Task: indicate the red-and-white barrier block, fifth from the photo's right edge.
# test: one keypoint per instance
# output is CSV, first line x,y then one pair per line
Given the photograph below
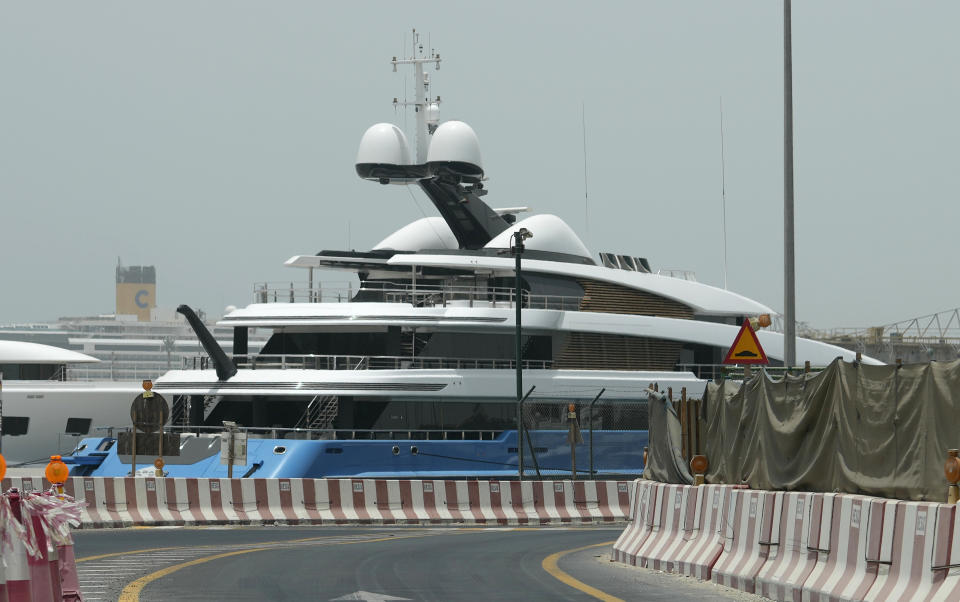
x,y
747,539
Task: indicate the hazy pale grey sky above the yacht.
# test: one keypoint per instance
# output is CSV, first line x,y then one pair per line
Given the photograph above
x,y
216,139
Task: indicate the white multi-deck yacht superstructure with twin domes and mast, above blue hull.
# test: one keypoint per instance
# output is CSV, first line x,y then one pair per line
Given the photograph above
x,y
428,340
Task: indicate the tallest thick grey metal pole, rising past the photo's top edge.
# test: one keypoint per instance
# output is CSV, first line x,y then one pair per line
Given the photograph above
x,y
789,293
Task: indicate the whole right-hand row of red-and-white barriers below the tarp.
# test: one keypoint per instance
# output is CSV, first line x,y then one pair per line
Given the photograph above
x,y
797,546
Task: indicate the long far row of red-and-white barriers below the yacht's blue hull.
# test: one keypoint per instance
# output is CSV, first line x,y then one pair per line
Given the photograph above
x,y
116,502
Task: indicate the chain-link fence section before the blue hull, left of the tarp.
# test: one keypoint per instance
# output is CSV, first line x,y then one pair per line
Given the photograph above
x,y
586,438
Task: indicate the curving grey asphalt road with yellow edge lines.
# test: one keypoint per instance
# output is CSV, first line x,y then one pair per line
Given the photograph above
x,y
348,563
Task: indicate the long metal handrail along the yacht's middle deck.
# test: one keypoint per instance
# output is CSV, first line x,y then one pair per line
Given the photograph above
x,y
363,362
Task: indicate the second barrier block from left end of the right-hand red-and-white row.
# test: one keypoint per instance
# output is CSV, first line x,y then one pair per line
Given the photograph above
x,y
669,526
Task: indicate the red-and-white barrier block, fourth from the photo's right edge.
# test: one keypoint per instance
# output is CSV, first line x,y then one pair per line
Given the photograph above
x,y
798,522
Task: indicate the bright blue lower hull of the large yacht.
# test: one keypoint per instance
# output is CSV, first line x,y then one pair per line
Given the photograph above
x,y
614,453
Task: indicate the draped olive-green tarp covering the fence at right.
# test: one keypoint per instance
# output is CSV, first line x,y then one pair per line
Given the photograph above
x,y
852,428
